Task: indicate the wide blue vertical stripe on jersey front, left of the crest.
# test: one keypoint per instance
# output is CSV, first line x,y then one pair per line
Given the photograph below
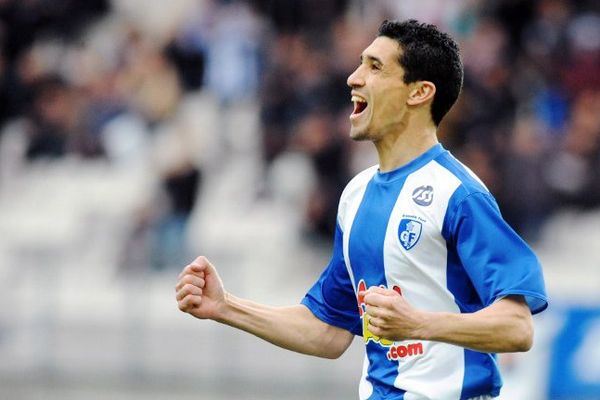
x,y
365,251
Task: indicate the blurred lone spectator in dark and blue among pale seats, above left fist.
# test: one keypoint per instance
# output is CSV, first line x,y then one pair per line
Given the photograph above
x,y
158,236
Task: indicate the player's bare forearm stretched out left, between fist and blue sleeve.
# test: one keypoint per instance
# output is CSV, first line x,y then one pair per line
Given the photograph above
x,y
294,328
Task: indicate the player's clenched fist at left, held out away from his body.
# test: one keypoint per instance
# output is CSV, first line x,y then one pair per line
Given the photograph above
x,y
200,290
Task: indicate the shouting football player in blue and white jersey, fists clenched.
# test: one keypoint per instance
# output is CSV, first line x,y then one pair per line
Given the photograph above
x,y
424,268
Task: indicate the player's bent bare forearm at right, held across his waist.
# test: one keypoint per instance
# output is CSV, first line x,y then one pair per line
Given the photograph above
x,y
503,327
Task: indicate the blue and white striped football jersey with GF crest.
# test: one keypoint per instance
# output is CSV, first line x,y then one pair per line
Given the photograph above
x,y
432,230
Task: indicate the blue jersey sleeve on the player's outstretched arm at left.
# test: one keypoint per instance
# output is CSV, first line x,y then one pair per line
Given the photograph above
x,y
332,298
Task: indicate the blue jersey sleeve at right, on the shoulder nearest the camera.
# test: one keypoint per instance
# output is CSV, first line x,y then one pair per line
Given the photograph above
x,y
496,259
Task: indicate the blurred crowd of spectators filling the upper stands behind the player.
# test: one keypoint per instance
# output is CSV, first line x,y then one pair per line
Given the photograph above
x,y
91,80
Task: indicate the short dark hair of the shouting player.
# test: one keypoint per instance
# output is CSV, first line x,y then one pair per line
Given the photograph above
x,y
428,55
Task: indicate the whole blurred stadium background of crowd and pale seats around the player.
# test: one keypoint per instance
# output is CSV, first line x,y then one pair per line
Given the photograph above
x,y
137,134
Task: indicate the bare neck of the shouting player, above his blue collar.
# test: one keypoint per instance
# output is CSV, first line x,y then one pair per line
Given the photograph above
x,y
400,148
